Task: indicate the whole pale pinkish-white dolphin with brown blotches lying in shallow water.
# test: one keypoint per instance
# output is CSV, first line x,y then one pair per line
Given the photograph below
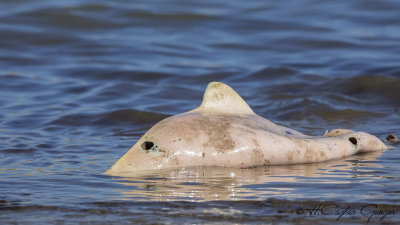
x,y
224,131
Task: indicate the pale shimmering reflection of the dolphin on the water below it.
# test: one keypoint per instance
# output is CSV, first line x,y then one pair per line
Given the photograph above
x,y
259,183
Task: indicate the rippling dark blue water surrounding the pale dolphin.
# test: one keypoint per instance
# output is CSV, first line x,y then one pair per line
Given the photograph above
x,y
81,81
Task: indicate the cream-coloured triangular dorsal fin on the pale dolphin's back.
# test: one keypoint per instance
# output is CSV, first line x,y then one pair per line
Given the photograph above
x,y
222,98
